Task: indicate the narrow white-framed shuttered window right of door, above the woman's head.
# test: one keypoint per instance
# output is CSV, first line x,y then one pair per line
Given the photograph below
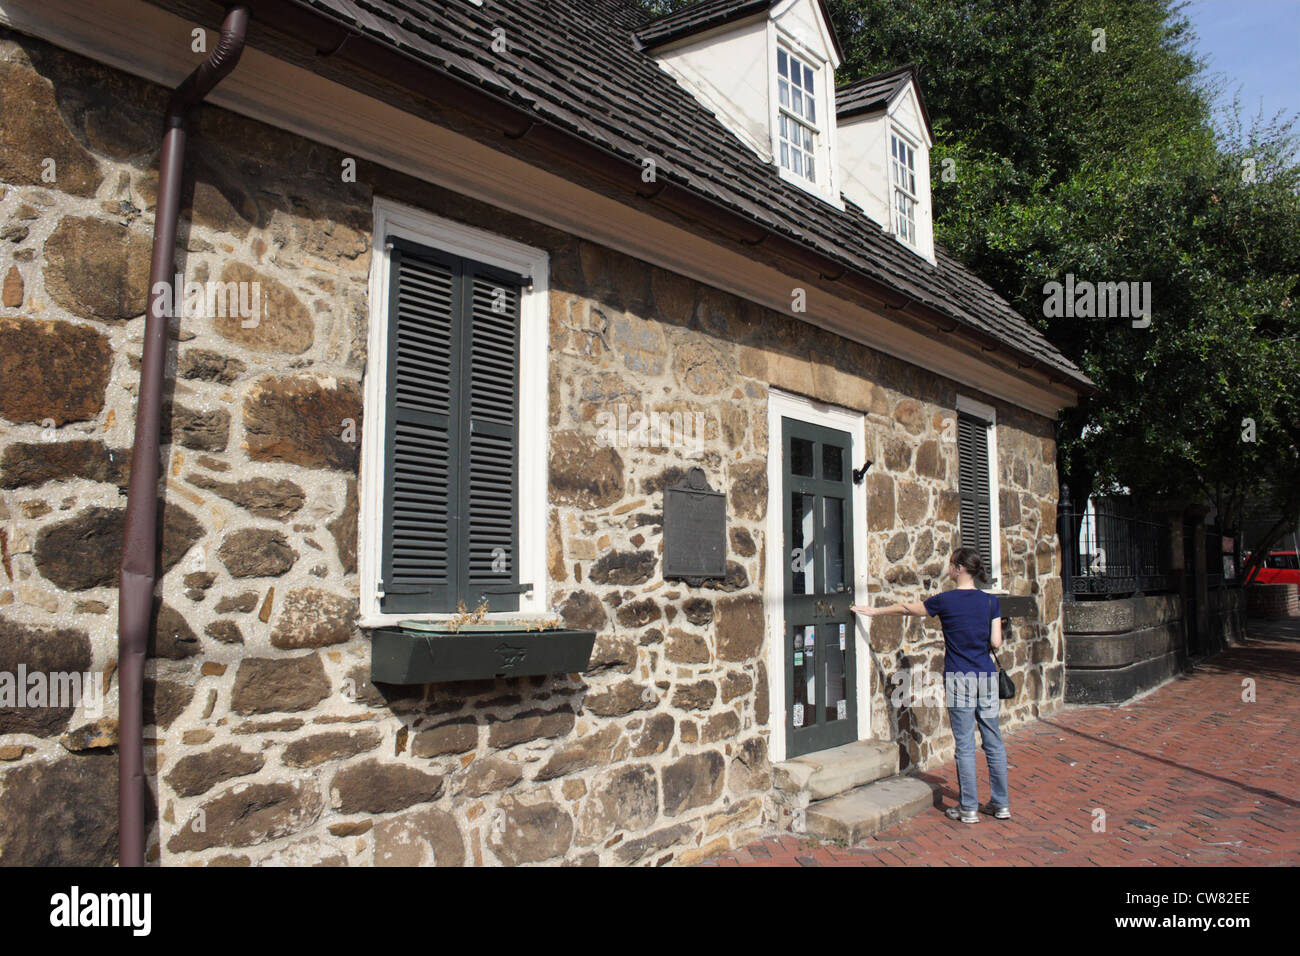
x,y
980,522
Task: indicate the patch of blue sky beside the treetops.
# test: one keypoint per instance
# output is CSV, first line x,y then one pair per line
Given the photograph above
x,y
1255,47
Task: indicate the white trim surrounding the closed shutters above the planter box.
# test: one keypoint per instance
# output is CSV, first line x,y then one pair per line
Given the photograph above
x,y
418,226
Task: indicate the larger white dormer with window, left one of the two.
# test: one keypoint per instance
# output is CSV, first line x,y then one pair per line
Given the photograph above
x,y
735,70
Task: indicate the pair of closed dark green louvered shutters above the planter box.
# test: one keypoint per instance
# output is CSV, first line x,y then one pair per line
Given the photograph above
x,y
452,508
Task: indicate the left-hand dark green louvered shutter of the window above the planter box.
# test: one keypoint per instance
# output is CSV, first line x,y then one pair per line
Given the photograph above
x,y
422,482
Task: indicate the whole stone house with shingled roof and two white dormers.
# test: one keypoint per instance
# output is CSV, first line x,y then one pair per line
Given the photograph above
x,y
679,222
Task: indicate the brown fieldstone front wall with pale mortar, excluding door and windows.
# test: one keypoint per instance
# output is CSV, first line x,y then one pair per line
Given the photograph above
x,y
262,721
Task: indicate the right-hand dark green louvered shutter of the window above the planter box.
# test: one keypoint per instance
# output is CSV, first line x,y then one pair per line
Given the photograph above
x,y
491,436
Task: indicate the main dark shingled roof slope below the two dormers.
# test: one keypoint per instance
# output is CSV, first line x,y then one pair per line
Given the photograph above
x,y
577,64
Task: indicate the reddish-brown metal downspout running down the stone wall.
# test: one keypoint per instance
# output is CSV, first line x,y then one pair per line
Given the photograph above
x,y
141,531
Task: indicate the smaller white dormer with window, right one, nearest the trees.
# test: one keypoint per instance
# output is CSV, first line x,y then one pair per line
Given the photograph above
x,y
873,178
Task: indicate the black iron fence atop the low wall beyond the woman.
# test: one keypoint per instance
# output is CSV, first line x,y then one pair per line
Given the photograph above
x,y
1112,548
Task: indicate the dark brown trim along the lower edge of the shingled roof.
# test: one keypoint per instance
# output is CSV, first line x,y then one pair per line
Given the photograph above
x,y
335,38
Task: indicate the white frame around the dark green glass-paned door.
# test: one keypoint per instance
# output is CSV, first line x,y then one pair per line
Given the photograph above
x,y
788,405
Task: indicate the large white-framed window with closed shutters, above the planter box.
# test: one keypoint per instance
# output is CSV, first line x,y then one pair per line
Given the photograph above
x,y
453,421
